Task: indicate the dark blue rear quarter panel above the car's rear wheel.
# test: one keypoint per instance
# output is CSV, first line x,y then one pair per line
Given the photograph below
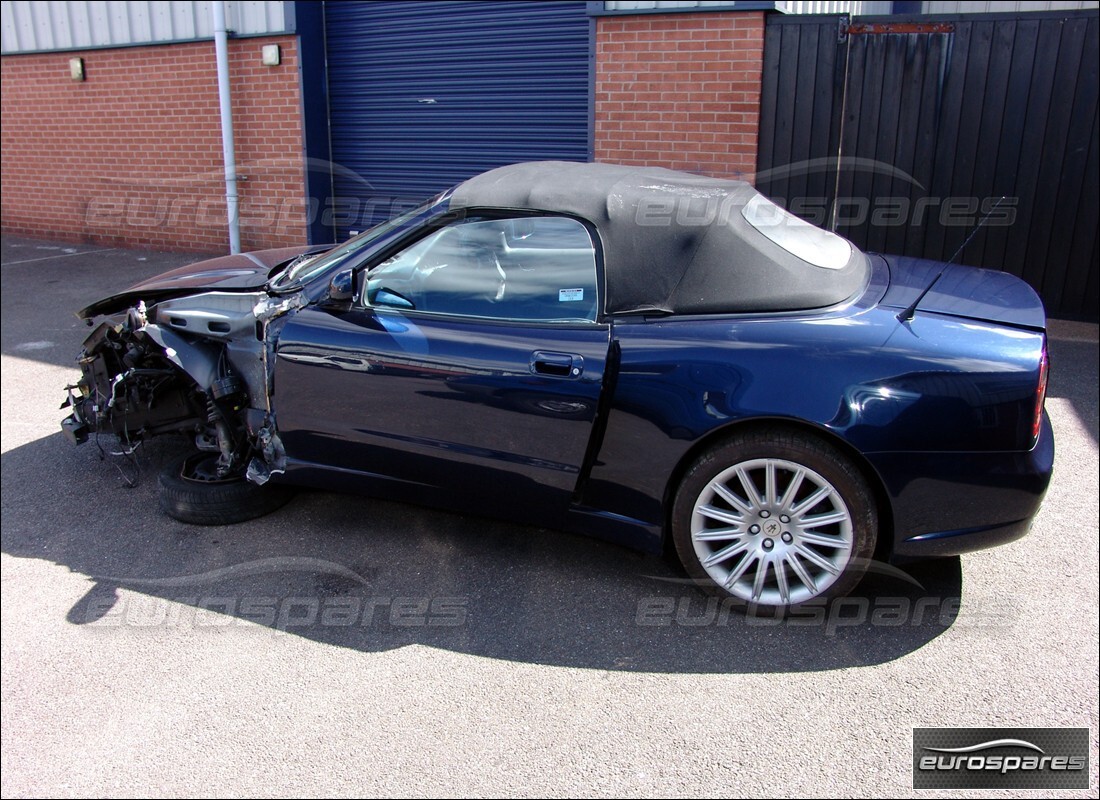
x,y
938,385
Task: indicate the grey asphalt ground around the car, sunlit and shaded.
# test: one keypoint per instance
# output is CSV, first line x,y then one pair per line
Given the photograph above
x,y
346,646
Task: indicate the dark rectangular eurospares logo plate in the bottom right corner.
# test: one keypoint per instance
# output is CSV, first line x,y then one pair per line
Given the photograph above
x,y
1000,759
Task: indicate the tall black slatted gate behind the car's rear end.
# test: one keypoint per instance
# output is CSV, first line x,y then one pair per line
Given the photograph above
x,y
901,133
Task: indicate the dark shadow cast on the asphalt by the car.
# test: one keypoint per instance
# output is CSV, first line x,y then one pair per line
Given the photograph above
x,y
375,576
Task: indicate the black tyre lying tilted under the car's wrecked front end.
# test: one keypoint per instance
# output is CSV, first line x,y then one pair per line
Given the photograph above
x,y
190,499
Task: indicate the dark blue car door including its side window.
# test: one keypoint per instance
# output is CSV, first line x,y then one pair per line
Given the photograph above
x,y
469,369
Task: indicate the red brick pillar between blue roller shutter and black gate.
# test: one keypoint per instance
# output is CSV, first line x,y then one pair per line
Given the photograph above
x,y
680,91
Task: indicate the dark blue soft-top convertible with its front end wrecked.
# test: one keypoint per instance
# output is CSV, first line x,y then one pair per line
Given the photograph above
x,y
662,359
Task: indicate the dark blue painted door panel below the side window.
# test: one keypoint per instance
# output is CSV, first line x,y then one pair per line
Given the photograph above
x,y
442,402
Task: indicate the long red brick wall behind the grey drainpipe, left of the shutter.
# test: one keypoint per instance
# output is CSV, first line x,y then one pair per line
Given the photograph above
x,y
133,156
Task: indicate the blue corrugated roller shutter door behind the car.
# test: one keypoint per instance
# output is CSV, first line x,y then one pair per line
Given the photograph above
x,y
424,95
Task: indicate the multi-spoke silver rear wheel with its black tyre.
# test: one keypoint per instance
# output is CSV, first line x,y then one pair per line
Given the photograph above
x,y
775,519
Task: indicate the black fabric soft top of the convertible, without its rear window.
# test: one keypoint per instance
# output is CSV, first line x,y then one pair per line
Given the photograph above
x,y
674,243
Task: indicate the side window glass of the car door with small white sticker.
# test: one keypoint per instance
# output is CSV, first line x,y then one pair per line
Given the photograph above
x,y
522,269
